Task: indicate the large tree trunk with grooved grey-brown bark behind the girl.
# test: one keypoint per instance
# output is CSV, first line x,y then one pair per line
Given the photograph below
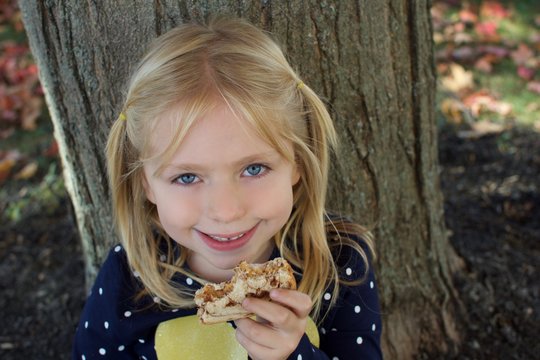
x,y
373,63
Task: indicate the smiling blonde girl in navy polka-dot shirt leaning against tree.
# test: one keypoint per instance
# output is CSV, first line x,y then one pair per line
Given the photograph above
x,y
221,155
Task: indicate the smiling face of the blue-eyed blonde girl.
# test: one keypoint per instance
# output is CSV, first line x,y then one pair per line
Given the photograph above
x,y
224,194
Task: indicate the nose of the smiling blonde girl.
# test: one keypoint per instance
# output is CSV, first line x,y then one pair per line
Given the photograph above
x,y
225,203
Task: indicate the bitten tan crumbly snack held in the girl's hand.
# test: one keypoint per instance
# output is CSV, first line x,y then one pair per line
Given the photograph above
x,y
223,302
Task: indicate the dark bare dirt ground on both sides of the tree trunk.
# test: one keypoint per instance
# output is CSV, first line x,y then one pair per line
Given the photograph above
x,y
492,205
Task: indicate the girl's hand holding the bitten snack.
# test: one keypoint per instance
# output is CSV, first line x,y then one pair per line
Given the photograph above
x,y
279,327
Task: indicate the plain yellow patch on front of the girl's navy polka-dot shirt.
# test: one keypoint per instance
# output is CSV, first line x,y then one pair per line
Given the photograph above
x,y
186,338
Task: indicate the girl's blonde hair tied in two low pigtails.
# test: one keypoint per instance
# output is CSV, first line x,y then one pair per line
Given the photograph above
x,y
200,66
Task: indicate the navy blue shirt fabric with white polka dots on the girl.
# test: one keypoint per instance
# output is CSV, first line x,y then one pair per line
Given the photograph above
x,y
115,326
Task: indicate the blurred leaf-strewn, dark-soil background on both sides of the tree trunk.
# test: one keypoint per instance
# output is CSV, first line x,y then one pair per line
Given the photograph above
x,y
488,117
